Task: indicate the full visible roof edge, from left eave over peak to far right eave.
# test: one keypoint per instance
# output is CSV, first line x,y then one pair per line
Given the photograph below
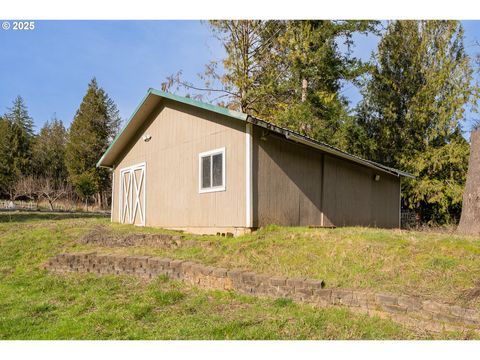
x,y
247,118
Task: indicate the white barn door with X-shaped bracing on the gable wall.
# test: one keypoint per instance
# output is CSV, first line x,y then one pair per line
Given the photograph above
x,y
132,195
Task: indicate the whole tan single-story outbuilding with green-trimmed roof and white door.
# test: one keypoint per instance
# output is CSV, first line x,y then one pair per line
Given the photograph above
x,y
187,165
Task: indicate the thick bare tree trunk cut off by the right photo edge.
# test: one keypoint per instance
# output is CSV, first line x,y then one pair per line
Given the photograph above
x,y
470,219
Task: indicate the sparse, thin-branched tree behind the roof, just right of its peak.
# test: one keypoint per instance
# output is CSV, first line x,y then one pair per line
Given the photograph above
x,y
246,43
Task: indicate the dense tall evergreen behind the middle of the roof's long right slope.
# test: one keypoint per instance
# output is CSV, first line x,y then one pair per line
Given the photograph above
x,y
307,75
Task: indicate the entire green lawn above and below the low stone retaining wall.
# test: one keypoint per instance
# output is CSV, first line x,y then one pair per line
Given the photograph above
x,y
37,305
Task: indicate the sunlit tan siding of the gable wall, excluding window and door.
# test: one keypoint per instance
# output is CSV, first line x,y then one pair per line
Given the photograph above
x,y
179,134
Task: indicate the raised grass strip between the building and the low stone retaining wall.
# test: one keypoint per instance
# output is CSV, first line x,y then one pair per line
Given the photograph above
x,y
438,266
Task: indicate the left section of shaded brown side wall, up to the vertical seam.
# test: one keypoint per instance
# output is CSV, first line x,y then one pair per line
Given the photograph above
x,y
286,182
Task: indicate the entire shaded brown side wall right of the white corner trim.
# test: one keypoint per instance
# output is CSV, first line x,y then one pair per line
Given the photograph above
x,y
288,188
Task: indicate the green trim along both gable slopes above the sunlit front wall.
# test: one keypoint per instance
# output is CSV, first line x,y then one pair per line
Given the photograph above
x,y
185,100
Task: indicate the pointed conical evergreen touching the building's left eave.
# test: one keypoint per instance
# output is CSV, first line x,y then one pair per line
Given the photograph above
x,y
95,125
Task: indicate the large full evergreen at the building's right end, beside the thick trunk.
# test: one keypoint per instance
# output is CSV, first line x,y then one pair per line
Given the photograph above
x,y
412,111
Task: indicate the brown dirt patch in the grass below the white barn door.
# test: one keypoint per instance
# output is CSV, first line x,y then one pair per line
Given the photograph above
x,y
102,236
